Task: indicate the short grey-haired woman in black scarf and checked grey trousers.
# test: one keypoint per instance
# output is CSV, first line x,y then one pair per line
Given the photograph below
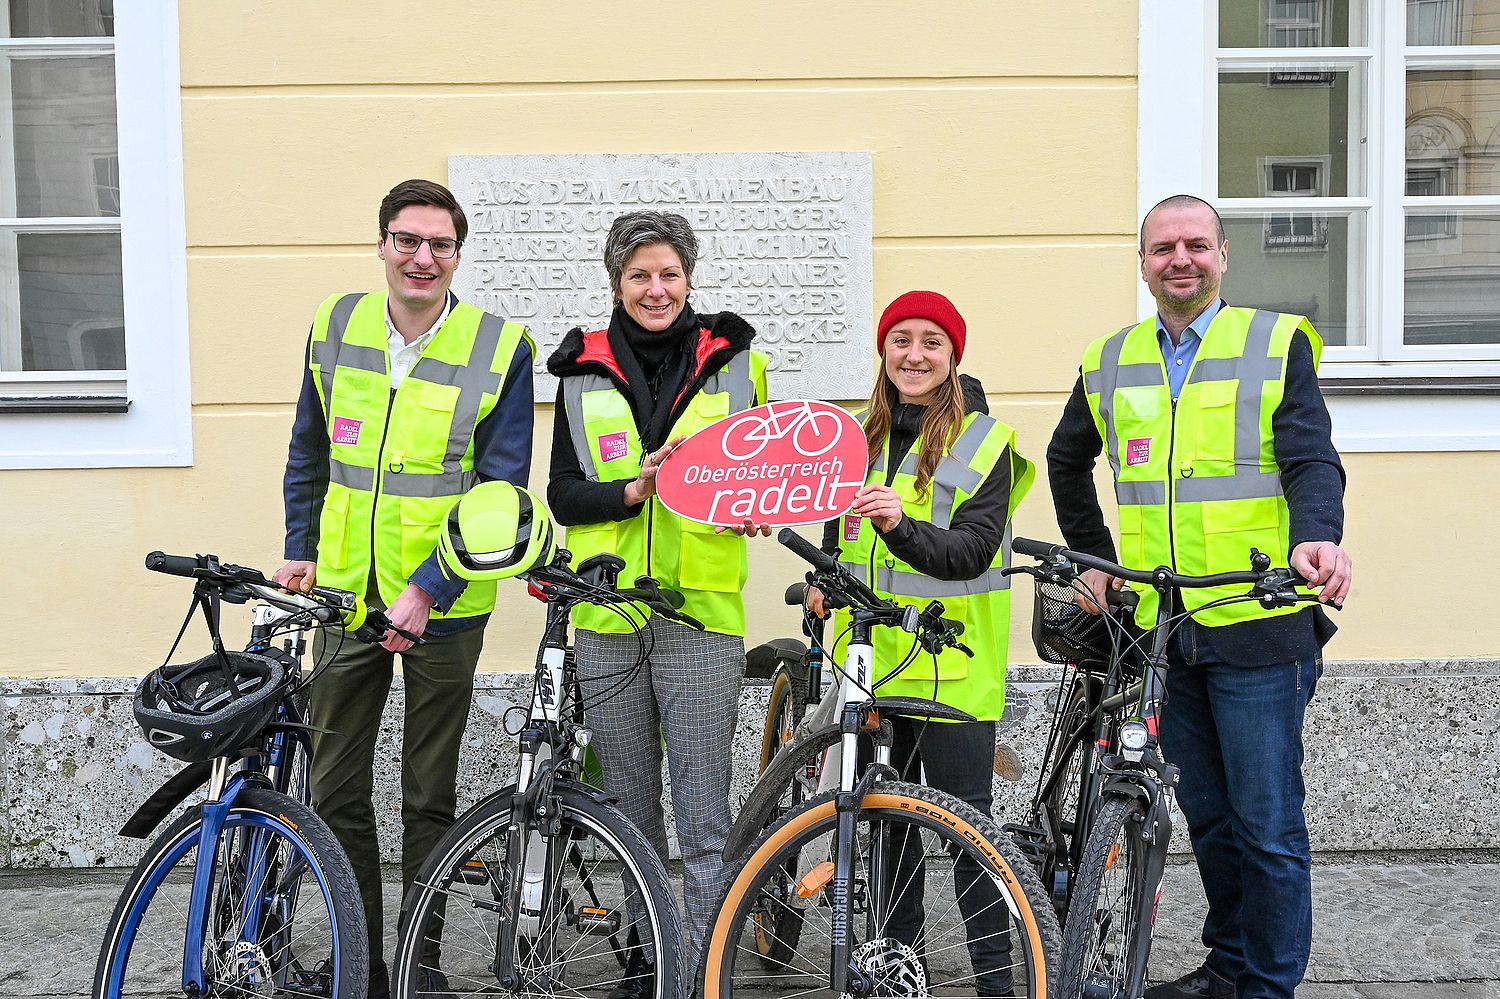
x,y
628,395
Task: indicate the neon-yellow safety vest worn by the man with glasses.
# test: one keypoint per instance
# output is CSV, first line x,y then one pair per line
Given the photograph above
x,y
400,460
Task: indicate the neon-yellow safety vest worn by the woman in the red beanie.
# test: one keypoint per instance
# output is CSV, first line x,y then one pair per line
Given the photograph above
x,y
983,604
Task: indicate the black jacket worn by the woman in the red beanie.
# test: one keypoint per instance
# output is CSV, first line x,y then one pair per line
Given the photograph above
x,y
968,547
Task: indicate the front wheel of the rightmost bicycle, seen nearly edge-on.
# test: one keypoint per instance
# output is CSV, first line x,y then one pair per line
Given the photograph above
x,y
1103,919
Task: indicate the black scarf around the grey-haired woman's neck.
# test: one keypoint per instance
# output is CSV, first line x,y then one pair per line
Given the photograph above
x,y
656,365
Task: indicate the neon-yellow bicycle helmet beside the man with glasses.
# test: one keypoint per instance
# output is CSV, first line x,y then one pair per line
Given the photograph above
x,y
497,532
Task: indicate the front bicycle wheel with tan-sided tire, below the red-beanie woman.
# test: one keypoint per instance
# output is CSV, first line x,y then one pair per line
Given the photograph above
x,y
941,904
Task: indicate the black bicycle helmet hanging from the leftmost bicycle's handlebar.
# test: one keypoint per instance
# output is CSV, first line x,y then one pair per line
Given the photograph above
x,y
208,709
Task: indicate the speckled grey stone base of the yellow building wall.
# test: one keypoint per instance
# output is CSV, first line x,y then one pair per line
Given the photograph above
x,y
1400,757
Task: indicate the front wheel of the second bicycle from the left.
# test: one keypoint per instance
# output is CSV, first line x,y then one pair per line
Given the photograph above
x,y
616,872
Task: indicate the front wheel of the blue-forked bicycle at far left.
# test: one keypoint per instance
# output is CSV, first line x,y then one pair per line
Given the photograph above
x,y
326,953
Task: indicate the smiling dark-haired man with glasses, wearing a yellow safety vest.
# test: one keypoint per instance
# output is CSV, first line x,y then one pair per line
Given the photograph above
x,y
409,400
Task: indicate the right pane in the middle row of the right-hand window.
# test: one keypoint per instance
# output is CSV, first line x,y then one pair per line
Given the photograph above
x,y
1454,131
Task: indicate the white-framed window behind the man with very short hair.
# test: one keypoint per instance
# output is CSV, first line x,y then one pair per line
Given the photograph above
x,y
1370,203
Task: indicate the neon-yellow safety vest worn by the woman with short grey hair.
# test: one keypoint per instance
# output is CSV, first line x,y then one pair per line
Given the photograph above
x,y
709,569
